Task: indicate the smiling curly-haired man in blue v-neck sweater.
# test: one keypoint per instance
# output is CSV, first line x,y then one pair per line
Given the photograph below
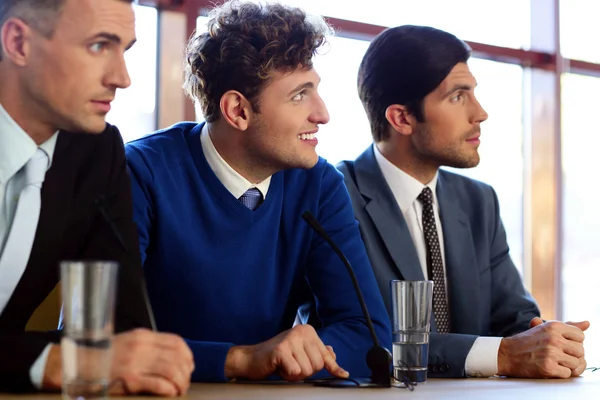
x,y
227,255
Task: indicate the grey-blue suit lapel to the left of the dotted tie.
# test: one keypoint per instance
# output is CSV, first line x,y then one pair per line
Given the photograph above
x,y
387,217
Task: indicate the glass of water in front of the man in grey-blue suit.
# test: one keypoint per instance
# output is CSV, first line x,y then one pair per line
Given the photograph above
x,y
411,309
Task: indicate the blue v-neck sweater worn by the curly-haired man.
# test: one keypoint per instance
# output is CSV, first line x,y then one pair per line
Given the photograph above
x,y
220,275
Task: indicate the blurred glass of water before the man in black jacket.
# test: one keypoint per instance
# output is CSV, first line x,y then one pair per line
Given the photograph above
x,y
88,295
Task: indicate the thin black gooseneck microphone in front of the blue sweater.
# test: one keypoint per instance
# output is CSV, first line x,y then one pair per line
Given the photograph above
x,y
378,357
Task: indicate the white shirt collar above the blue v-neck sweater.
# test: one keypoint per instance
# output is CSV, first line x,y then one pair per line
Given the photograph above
x,y
233,181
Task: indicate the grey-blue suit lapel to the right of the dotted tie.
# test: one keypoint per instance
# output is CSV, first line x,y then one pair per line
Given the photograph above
x,y
461,263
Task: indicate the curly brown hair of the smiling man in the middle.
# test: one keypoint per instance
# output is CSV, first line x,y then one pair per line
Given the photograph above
x,y
244,44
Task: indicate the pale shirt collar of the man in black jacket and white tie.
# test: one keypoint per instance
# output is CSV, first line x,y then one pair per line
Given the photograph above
x,y
17,147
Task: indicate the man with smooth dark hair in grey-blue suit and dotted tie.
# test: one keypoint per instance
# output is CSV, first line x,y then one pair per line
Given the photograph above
x,y
419,222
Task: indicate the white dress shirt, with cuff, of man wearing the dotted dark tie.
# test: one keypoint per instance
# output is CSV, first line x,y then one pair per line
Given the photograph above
x,y
482,359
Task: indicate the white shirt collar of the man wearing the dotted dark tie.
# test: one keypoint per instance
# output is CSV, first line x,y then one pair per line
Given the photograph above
x,y
404,187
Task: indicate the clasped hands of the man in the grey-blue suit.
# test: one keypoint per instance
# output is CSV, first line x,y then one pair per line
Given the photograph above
x,y
547,350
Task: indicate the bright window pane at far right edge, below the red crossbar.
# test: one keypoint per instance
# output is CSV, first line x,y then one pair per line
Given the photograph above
x,y
581,215
